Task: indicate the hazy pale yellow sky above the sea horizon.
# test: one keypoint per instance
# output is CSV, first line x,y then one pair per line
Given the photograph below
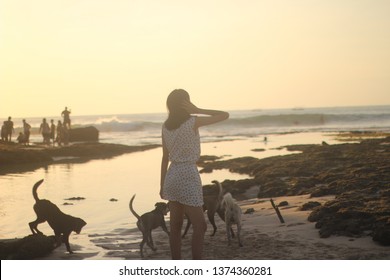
x,y
125,56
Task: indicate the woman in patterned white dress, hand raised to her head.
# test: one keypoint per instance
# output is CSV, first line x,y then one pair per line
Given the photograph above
x,y
180,183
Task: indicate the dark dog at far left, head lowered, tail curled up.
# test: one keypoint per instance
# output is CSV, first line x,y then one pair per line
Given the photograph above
x,y
61,223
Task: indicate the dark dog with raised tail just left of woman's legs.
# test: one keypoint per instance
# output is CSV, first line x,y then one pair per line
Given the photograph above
x,y
149,221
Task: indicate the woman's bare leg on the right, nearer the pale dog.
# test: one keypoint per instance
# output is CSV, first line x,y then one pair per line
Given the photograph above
x,y
196,216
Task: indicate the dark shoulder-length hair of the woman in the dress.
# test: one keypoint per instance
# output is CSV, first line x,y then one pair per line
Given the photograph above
x,y
177,115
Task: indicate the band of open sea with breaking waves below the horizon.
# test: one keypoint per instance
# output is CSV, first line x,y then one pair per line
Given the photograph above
x,y
139,129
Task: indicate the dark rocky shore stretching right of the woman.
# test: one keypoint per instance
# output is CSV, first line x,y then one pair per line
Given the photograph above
x,y
357,174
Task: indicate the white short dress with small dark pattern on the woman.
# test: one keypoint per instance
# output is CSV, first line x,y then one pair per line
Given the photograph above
x,y
182,181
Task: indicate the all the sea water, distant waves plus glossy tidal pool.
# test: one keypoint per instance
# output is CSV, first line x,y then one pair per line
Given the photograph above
x,y
107,185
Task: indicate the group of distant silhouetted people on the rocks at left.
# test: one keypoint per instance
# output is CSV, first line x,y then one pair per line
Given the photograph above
x,y
51,133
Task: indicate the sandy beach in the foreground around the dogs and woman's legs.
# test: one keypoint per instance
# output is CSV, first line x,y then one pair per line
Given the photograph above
x,y
264,238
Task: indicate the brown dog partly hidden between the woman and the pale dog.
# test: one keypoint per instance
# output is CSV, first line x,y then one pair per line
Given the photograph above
x,y
212,203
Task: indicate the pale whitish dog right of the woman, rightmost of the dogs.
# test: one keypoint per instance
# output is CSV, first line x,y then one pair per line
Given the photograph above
x,y
232,216
